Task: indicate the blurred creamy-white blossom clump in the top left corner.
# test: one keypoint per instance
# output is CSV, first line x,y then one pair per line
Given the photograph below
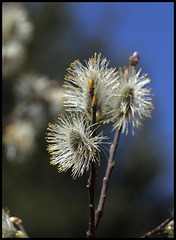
x,y
16,32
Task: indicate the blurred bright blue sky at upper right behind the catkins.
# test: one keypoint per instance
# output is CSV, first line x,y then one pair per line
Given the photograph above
x,y
148,29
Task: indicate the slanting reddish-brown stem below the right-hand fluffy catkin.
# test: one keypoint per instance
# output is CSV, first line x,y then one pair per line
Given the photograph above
x,y
110,166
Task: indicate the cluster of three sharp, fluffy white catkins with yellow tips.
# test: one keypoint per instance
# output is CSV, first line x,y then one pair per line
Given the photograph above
x,y
122,97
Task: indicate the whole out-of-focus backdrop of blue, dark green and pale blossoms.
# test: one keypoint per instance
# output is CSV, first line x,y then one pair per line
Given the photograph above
x,y
40,40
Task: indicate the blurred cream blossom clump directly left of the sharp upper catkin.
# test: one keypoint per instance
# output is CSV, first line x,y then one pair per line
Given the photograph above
x,y
34,90
